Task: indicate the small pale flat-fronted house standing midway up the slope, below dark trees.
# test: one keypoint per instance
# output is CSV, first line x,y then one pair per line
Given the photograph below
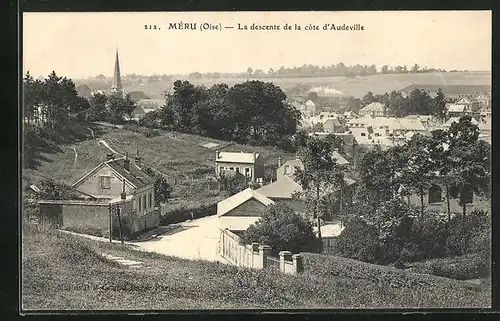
x,y
251,165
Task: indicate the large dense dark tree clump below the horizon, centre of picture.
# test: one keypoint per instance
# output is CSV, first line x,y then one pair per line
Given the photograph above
x,y
253,112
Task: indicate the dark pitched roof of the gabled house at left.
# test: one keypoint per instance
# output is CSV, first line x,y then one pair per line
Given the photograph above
x,y
135,177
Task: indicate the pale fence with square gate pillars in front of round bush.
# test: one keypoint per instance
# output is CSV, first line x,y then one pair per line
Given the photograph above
x,y
256,256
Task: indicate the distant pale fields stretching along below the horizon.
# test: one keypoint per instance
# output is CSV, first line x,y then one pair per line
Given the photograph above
x,y
357,87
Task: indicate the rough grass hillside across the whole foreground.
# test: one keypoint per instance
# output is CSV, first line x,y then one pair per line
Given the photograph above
x,y
65,272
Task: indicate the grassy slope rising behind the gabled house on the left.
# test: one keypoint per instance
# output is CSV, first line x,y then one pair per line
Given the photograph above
x,y
176,155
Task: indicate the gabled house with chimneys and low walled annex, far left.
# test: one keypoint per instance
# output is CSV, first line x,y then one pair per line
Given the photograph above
x,y
117,185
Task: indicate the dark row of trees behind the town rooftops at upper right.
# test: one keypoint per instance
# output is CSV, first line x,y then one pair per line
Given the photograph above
x,y
418,102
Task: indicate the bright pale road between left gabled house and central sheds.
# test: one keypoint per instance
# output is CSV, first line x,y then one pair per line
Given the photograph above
x,y
196,239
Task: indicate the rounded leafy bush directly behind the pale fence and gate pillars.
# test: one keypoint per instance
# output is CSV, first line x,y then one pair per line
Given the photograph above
x,y
282,229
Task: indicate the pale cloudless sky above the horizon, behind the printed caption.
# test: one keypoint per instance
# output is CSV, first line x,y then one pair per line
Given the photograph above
x,y
79,45
